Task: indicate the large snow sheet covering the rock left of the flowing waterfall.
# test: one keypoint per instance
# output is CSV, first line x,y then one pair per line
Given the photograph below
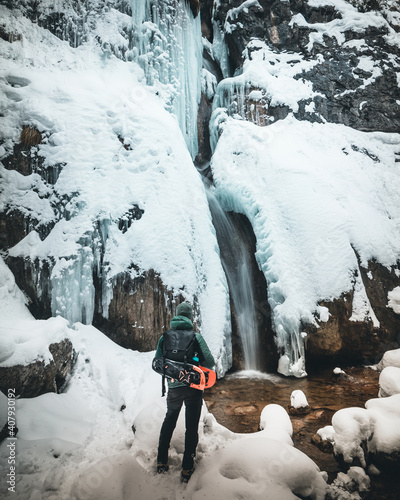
x,y
154,171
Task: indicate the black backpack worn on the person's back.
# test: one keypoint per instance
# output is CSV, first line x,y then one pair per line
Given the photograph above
x,y
180,345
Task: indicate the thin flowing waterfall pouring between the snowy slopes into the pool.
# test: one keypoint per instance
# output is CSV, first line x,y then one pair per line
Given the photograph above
x,y
237,266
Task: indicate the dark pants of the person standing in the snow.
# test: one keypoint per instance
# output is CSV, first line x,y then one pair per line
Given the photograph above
x,y
193,399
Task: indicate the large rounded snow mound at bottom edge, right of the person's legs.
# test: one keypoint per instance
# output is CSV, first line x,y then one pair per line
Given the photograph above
x,y
259,469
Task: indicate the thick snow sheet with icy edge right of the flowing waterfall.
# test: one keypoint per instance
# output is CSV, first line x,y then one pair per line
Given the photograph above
x,y
311,209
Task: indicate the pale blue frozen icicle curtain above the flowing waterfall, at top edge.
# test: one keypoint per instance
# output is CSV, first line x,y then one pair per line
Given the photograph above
x,y
168,47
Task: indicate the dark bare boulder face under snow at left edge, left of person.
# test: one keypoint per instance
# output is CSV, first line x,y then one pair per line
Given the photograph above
x,y
37,378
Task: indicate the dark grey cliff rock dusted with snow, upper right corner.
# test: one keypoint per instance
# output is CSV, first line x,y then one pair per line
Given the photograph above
x,y
365,97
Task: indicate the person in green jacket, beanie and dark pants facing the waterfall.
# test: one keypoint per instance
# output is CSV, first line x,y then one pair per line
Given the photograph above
x,y
179,393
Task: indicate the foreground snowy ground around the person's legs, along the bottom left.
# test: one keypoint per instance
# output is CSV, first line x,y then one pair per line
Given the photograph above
x,y
80,443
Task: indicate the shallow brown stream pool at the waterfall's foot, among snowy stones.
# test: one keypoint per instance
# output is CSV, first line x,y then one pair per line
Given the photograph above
x,y
237,401
